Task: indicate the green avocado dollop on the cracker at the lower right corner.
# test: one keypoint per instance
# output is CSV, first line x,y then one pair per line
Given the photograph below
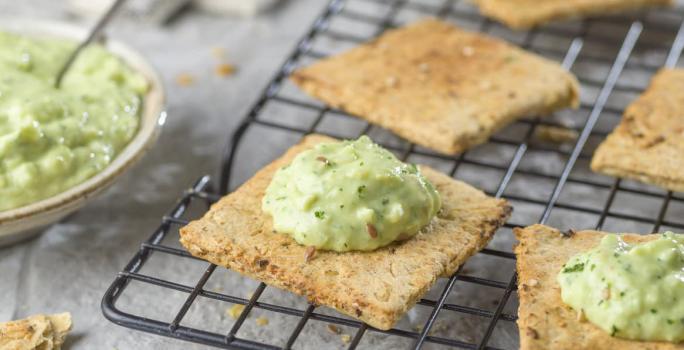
x,y
632,291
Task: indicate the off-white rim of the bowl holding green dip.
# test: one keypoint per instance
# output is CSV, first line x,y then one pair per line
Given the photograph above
x,y
153,117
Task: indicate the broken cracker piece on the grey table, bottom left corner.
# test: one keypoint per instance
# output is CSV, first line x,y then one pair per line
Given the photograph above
x,y
43,332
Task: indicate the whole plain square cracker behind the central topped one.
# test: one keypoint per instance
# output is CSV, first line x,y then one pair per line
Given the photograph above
x,y
439,86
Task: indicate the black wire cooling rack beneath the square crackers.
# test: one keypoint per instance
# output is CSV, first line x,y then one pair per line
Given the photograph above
x,y
613,58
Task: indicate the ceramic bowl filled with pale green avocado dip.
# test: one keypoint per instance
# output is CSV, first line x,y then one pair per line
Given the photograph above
x,y
61,146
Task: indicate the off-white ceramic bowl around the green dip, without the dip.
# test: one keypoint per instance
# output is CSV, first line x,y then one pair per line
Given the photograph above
x,y
27,221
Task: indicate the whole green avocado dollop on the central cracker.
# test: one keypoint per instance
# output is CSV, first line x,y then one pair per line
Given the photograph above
x,y
350,195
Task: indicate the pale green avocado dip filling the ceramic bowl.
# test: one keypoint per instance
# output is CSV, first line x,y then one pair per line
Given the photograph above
x,y
53,139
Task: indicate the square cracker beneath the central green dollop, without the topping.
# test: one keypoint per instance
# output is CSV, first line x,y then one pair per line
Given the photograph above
x,y
377,287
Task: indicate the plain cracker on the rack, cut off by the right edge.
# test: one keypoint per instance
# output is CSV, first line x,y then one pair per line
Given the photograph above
x,y
648,144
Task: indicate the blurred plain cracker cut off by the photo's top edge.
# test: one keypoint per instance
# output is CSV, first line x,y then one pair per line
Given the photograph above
x,y
524,14
